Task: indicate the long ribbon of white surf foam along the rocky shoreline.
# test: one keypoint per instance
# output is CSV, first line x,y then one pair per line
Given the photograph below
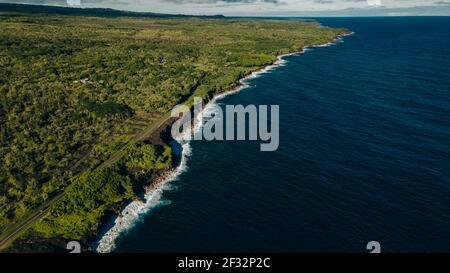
x,y
134,211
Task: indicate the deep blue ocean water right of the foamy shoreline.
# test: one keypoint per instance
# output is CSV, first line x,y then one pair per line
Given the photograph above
x,y
364,154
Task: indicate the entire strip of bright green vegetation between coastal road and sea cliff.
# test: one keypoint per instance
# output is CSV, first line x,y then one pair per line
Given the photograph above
x,y
90,194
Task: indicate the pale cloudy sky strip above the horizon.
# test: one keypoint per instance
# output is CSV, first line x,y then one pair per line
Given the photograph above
x,y
265,7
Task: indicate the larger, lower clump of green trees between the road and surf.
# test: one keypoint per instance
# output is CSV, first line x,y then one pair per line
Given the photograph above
x,y
86,199
